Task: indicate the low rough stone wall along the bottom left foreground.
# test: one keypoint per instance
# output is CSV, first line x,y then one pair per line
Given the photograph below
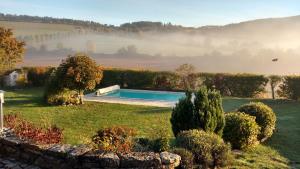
x,y
81,157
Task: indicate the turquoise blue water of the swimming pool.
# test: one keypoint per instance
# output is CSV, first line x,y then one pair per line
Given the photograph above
x,y
146,95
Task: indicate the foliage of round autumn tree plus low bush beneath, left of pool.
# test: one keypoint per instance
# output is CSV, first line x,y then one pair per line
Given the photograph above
x,y
76,73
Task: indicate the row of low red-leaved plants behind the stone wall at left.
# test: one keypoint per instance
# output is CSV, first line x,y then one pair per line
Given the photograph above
x,y
25,129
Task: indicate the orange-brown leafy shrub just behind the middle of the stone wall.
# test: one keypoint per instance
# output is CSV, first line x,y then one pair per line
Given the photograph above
x,y
116,139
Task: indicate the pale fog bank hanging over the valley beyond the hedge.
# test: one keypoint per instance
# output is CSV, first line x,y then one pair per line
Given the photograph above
x,y
237,48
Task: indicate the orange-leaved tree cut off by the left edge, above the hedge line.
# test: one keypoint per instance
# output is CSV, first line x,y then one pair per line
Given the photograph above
x,y
11,50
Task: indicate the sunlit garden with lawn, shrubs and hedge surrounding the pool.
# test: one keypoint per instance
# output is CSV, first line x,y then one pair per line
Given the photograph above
x,y
224,121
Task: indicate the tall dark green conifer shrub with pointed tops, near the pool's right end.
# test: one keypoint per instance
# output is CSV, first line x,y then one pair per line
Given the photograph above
x,y
204,112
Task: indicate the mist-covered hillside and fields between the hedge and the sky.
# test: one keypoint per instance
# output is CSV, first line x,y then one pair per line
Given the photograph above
x,y
163,46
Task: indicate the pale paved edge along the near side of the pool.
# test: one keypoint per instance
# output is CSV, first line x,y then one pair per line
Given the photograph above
x,y
93,98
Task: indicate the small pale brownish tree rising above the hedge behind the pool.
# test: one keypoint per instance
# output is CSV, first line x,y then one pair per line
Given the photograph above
x,y
188,79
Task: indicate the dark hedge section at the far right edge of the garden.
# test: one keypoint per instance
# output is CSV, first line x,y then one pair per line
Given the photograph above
x,y
290,88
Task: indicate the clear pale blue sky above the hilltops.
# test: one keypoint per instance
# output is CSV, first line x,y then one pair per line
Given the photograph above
x,y
194,13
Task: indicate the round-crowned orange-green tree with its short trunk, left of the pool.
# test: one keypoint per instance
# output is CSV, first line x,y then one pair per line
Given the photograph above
x,y
80,73
